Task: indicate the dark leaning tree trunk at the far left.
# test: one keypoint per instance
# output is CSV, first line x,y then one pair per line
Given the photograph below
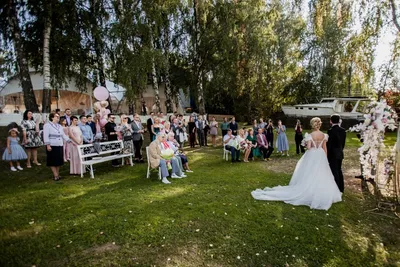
x,y
23,67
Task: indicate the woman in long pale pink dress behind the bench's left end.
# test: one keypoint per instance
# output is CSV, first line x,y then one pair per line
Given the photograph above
x,y
75,134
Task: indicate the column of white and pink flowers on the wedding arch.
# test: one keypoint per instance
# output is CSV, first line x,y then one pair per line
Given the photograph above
x,y
379,117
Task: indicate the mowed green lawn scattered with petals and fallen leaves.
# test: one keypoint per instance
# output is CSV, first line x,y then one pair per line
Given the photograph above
x,y
207,219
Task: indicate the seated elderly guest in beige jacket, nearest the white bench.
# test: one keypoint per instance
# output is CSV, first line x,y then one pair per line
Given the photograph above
x,y
155,149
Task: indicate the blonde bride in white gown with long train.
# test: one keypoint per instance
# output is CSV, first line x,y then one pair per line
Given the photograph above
x,y
312,183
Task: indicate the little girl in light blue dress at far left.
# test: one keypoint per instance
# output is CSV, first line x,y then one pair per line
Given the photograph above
x,y
14,151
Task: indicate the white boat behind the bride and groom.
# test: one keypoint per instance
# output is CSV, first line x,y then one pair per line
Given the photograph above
x,y
346,107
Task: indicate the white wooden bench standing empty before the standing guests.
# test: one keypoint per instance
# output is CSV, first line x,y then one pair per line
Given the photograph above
x,y
106,148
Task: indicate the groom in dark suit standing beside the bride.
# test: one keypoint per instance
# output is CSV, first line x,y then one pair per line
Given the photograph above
x,y
335,146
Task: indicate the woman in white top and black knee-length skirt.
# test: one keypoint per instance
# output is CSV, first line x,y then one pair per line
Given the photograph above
x,y
54,137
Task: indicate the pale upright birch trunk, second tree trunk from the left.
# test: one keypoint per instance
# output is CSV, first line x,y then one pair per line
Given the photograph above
x,y
46,98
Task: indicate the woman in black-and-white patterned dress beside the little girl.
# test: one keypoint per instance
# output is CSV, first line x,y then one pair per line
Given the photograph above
x,y
31,137
